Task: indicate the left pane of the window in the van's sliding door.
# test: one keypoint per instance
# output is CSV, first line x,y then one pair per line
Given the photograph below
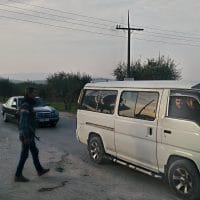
x,y
127,104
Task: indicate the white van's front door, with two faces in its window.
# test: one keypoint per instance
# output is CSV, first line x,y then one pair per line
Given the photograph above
x,y
181,125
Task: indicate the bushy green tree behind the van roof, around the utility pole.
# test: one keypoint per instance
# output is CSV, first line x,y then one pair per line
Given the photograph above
x,y
153,69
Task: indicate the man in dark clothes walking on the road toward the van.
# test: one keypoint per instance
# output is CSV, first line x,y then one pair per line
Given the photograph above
x,y
27,136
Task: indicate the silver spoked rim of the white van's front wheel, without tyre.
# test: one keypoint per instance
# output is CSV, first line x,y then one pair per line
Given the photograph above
x,y
182,181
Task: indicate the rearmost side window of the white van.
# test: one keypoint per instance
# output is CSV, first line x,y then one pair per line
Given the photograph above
x,y
102,101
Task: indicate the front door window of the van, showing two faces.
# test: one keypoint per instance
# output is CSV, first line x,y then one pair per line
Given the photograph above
x,y
184,104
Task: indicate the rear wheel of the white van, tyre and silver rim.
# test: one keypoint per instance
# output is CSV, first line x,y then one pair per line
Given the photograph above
x,y
96,149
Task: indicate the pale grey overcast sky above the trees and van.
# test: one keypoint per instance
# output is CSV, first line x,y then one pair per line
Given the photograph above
x,y
37,50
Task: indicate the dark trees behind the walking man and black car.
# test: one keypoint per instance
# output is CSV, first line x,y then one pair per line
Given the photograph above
x,y
60,87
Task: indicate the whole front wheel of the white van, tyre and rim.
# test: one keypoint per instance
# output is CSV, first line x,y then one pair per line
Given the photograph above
x,y
184,179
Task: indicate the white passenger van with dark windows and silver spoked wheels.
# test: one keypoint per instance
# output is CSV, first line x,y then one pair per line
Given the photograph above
x,y
153,126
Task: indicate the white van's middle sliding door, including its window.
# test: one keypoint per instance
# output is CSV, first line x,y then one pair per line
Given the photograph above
x,y
136,128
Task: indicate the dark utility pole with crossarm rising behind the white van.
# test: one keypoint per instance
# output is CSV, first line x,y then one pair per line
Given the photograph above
x,y
129,29
